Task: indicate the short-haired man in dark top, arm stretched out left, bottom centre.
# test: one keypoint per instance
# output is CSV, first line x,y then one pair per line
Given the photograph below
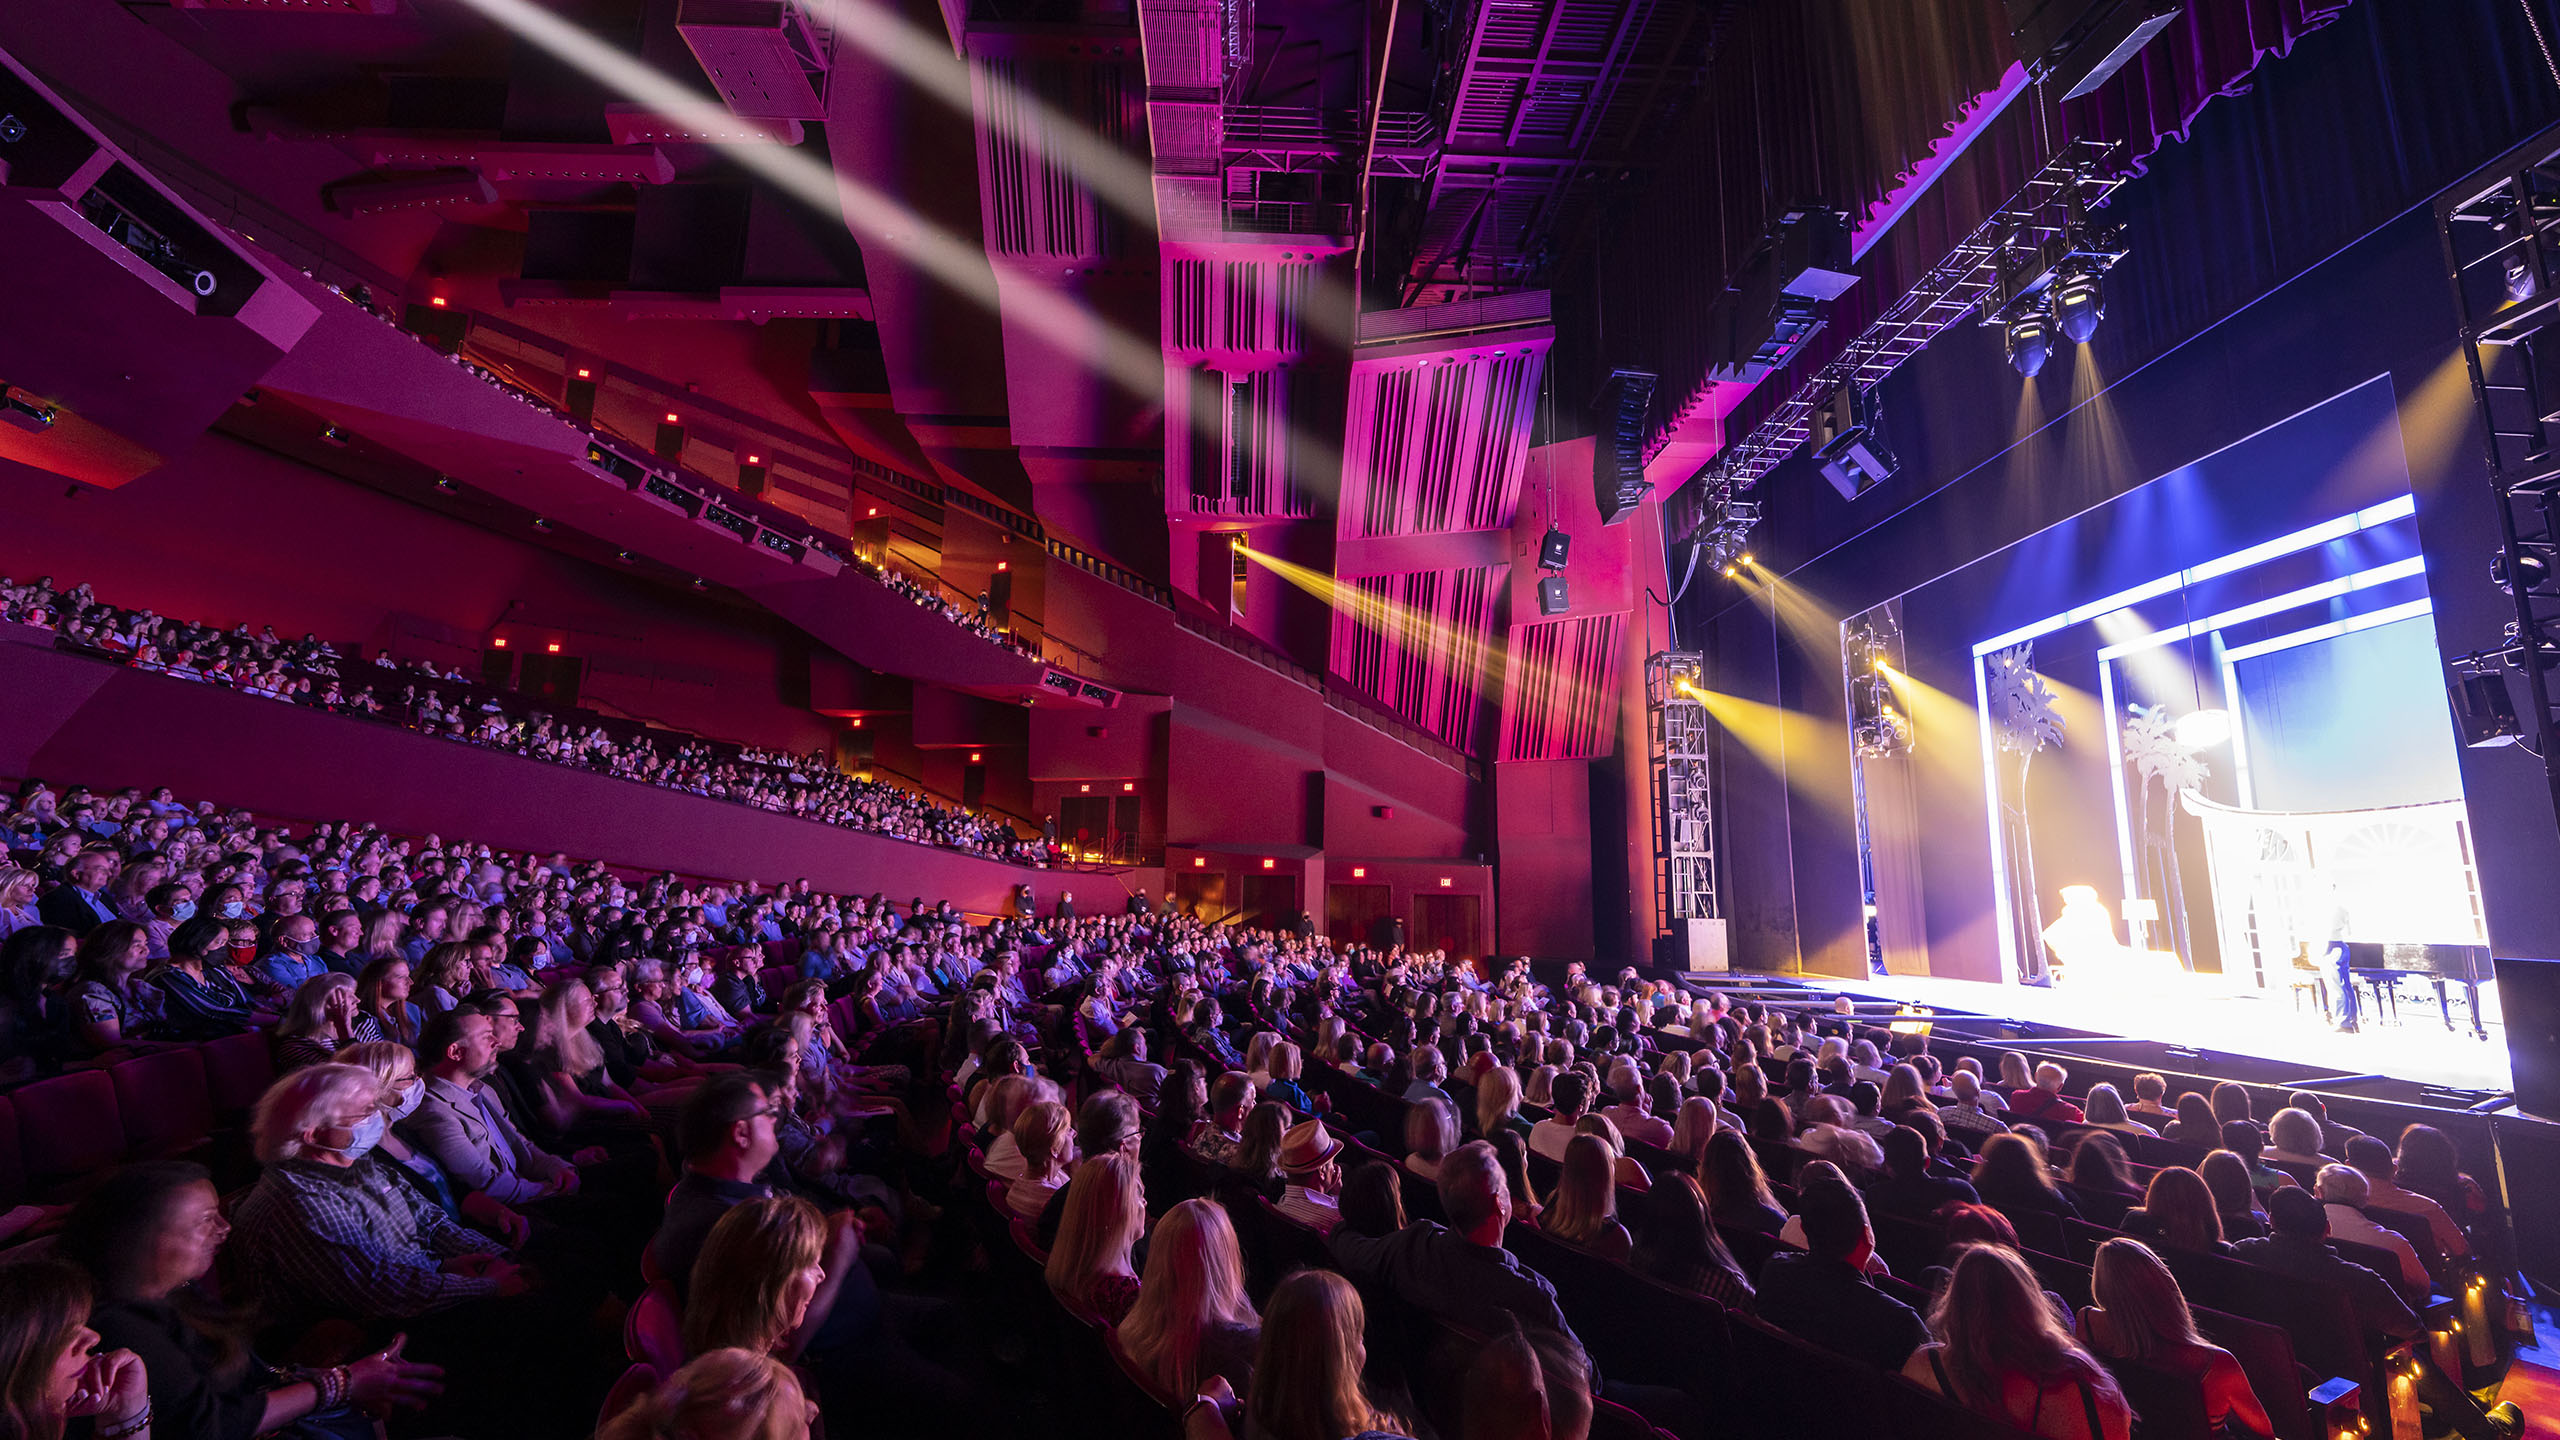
x,y
1455,1272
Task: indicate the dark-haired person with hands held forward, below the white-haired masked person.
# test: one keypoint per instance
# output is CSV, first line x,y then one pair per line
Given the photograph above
x,y
145,1239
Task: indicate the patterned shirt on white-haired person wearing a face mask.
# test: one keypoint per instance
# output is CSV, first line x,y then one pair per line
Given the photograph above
x,y
352,1241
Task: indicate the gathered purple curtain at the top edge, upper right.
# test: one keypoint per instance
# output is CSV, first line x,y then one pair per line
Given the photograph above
x,y
2208,53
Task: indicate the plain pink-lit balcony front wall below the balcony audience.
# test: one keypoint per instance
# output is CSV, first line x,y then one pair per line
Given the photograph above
x,y
81,721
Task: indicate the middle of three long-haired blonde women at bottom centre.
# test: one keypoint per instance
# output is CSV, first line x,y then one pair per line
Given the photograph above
x,y
1192,1318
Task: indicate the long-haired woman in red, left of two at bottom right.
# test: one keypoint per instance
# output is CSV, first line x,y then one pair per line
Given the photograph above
x,y
2001,1352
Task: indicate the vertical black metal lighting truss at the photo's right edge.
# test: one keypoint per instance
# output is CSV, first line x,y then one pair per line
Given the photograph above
x,y
2502,258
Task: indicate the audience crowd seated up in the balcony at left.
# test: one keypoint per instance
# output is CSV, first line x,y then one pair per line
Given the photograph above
x,y
447,706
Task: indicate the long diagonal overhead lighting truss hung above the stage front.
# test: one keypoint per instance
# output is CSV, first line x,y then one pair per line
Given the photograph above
x,y
1980,275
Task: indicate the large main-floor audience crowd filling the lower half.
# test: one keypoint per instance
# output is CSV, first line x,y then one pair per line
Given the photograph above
x,y
549,1144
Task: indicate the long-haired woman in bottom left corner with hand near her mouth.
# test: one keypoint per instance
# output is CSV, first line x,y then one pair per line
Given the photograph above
x,y
50,1362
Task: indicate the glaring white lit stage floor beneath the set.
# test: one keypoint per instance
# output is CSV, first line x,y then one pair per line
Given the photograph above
x,y
2205,1016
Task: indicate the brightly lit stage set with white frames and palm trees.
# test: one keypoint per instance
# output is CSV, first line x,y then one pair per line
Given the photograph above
x,y
2182,767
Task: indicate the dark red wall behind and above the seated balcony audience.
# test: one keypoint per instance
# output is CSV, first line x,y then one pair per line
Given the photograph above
x,y
234,534
